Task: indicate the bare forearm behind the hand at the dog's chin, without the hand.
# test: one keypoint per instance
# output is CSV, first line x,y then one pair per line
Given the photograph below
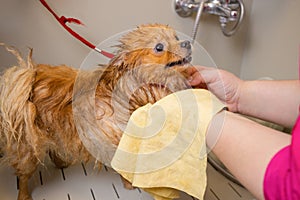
x,y
275,101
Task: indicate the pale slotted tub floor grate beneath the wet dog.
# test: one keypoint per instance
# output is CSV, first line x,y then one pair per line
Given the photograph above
x,y
82,182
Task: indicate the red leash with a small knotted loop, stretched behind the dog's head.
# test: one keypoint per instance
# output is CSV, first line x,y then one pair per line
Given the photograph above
x,y
64,20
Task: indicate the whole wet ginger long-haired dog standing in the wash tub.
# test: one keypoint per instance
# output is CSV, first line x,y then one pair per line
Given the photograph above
x,y
37,100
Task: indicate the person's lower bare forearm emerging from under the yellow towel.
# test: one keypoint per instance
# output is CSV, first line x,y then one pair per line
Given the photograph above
x,y
245,147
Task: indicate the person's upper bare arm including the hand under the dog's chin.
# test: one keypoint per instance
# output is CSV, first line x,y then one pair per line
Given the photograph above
x,y
275,101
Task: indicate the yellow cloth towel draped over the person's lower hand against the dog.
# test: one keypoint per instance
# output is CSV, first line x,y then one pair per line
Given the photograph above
x,y
163,147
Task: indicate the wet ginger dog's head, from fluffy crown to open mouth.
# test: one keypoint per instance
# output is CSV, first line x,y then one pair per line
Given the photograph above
x,y
152,44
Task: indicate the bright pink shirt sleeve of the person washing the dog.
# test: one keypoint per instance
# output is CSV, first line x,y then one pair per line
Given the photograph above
x,y
282,178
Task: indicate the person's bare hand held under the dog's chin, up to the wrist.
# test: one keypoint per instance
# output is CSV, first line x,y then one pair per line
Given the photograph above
x,y
221,83
